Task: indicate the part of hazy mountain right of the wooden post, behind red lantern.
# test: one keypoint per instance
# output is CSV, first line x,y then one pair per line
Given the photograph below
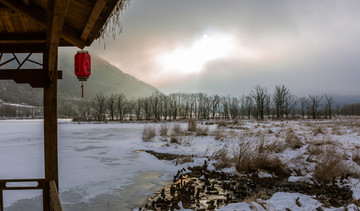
x,y
104,78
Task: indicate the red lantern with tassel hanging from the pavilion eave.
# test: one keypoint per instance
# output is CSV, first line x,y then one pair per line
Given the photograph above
x,y
82,67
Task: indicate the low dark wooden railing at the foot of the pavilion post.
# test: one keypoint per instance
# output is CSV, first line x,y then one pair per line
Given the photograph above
x,y
31,184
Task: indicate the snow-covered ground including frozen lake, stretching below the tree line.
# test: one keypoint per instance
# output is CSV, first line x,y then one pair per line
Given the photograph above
x,y
101,166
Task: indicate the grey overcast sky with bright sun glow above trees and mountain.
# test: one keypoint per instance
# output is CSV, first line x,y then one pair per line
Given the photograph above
x,y
229,46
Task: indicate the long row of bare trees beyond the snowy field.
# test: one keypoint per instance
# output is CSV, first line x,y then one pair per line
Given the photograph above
x,y
258,104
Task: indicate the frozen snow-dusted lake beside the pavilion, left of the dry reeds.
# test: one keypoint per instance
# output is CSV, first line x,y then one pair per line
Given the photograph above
x,y
98,165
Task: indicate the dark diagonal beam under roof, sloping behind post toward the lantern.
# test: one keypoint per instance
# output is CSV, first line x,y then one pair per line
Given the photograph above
x,y
38,15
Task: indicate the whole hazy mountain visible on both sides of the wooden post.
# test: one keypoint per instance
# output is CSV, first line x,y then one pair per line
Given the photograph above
x,y
104,78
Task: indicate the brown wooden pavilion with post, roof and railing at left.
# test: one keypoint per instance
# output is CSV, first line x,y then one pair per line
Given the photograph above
x,y
41,26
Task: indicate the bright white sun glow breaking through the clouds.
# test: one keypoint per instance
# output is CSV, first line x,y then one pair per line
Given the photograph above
x,y
191,59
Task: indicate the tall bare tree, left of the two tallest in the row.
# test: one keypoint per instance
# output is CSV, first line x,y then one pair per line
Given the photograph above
x,y
260,95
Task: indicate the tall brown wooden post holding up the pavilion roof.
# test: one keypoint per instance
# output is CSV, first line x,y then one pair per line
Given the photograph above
x,y
56,12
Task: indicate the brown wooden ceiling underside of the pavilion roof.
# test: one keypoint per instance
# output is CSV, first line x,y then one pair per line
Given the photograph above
x,y
24,22
